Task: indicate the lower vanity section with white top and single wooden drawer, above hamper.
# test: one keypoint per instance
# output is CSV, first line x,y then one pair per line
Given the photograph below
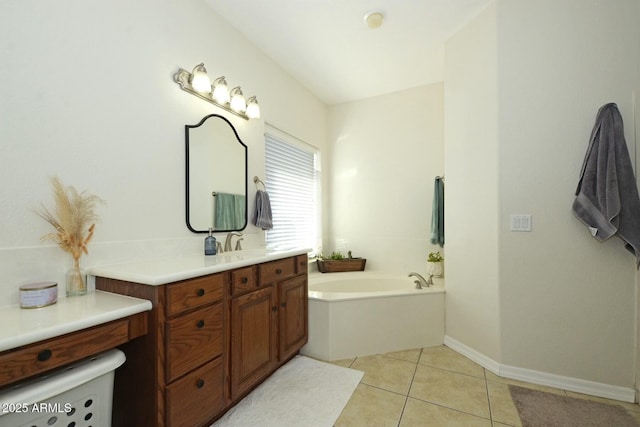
x,y
35,341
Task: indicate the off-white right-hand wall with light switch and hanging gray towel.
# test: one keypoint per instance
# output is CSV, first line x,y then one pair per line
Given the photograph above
x,y
561,302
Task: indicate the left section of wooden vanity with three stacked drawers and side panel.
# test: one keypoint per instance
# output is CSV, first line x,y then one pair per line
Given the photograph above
x,y
175,375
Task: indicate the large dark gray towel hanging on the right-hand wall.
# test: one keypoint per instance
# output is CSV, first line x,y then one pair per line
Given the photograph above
x,y
607,195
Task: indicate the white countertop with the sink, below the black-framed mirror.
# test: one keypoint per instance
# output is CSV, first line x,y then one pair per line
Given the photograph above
x,y
173,269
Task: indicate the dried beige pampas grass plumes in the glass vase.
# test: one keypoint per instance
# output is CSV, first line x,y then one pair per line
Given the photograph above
x,y
73,218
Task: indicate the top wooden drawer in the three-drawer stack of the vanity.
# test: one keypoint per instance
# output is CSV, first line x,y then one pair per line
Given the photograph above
x,y
194,293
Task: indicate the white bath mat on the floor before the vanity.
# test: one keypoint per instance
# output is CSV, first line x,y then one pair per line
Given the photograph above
x,y
304,392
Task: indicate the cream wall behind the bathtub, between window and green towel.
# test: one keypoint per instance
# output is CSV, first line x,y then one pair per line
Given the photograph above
x,y
384,153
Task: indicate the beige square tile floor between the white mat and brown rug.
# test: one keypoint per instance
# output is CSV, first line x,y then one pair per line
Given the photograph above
x,y
434,387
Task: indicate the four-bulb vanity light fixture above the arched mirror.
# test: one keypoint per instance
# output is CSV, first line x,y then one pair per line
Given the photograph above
x,y
197,83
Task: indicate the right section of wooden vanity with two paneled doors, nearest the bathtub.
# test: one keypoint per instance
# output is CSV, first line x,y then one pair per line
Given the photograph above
x,y
268,321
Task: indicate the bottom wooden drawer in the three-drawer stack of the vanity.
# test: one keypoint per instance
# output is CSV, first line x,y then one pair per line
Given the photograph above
x,y
196,398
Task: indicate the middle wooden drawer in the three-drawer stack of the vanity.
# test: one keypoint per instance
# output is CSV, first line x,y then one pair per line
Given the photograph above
x,y
192,340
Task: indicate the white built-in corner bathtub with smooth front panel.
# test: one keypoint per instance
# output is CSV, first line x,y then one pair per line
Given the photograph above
x,y
363,313
